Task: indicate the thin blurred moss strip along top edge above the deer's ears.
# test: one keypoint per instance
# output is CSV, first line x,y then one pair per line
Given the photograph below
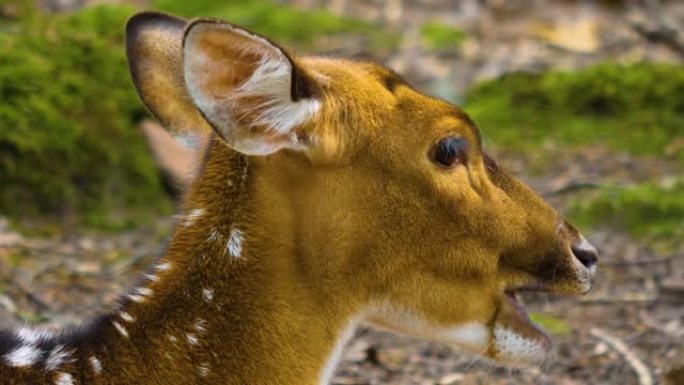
x,y
283,23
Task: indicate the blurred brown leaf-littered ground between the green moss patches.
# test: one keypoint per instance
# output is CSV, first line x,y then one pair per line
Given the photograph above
x,y
639,296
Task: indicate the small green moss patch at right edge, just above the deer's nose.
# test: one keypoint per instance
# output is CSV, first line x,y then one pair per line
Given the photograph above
x,y
647,210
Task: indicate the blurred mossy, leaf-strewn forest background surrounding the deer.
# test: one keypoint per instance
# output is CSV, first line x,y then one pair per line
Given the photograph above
x,y
584,100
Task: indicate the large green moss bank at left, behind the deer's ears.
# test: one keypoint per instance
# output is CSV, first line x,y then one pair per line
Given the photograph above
x,y
68,134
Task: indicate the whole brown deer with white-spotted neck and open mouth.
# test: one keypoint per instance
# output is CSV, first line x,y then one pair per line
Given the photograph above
x,y
331,193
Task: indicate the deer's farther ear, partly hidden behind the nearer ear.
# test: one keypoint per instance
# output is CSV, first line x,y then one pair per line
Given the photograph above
x,y
154,49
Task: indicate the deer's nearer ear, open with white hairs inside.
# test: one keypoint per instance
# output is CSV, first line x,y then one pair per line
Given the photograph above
x,y
247,88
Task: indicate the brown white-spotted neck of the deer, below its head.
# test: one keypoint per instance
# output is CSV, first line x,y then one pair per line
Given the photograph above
x,y
231,301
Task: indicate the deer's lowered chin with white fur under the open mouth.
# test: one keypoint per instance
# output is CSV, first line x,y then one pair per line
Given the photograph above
x,y
515,339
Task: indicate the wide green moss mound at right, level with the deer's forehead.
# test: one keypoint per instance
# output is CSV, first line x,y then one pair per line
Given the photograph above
x,y
638,108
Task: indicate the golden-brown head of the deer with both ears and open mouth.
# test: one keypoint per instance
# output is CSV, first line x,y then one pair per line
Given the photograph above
x,y
385,195
